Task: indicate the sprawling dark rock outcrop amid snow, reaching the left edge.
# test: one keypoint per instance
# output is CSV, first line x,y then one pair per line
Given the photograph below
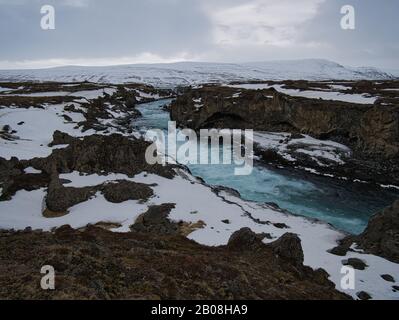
x,y
93,155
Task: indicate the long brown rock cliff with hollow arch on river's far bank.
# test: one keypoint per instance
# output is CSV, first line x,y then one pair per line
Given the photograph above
x,y
371,131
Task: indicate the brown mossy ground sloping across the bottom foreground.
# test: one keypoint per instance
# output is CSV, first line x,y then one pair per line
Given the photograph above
x,y
98,264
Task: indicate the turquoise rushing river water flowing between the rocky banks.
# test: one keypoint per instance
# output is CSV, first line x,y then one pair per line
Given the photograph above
x,y
347,206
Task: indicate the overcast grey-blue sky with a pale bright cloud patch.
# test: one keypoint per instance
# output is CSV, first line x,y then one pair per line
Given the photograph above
x,y
105,32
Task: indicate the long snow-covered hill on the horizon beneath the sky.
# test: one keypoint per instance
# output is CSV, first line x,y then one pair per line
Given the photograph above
x,y
192,73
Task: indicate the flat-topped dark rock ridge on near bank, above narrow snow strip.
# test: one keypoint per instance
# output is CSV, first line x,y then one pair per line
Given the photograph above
x,y
100,154
